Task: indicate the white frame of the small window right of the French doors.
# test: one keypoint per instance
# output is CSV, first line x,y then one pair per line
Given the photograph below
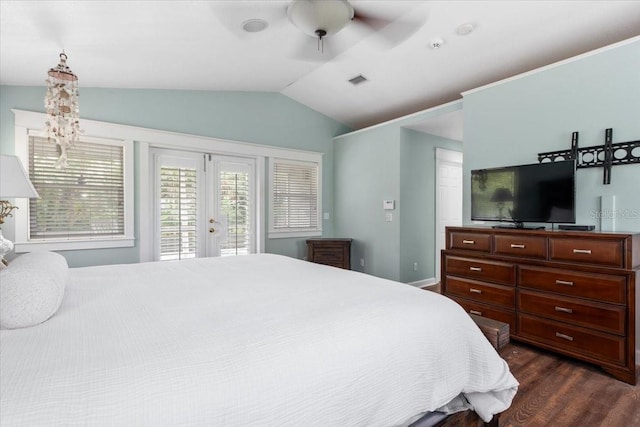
x,y
309,232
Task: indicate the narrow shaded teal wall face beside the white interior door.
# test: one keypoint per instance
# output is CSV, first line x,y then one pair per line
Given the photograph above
x,y
418,193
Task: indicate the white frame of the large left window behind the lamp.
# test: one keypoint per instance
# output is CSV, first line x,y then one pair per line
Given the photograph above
x,y
30,126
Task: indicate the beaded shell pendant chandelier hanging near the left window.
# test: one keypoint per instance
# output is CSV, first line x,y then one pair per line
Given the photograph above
x,y
61,103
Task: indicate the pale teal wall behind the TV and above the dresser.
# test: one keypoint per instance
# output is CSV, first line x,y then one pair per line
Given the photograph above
x,y
510,123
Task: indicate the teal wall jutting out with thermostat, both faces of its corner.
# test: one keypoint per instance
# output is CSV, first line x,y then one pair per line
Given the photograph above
x,y
389,162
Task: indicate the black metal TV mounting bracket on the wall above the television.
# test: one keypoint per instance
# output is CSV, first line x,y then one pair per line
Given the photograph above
x,y
606,155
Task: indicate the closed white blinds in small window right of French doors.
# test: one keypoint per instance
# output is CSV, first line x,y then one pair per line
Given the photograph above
x,y
294,198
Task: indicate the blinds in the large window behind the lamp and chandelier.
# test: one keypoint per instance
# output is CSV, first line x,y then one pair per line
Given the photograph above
x,y
81,202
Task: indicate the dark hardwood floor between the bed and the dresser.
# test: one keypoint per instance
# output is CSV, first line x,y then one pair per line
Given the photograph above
x,y
557,391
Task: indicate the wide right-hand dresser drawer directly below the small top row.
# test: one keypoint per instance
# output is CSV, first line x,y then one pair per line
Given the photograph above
x,y
601,287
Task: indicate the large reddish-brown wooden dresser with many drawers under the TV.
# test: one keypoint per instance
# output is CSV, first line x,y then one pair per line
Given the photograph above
x,y
571,292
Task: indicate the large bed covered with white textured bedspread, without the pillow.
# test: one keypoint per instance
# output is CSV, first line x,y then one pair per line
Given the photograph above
x,y
258,340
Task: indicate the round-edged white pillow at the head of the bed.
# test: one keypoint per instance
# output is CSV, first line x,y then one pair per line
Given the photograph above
x,y
31,289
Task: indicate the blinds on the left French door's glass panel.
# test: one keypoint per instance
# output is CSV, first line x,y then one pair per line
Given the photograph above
x,y
178,213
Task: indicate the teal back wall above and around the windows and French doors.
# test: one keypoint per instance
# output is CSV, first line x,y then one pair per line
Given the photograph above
x,y
256,117
